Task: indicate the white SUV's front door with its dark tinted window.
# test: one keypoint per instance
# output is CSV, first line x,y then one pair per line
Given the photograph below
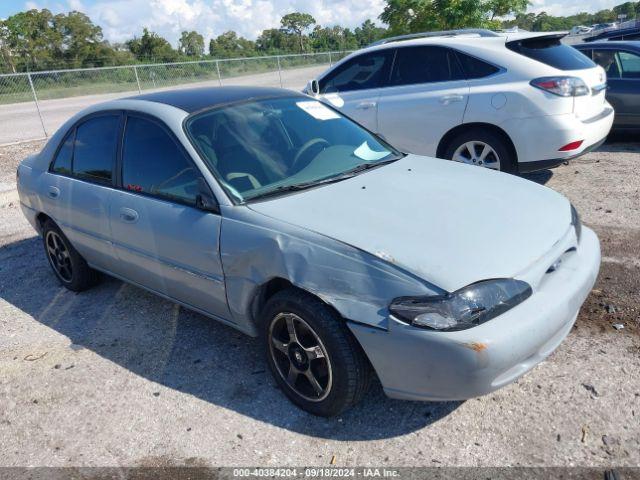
x,y
354,86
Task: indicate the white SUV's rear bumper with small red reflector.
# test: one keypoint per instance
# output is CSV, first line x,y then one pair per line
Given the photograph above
x,y
538,139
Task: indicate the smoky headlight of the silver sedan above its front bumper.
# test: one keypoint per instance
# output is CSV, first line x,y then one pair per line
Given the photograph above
x,y
466,308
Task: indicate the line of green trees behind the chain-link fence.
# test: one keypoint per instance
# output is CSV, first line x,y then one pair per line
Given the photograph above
x,y
39,40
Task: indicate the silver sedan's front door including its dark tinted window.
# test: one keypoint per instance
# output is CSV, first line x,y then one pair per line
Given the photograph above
x,y
163,241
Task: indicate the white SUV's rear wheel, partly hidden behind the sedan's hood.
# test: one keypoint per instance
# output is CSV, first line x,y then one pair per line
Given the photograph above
x,y
482,148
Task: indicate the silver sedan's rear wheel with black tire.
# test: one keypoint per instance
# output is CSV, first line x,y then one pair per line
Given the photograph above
x,y
76,275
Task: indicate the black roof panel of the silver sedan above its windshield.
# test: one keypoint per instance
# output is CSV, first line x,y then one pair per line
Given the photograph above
x,y
193,99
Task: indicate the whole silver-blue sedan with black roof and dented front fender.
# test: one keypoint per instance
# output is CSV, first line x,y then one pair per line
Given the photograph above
x,y
273,213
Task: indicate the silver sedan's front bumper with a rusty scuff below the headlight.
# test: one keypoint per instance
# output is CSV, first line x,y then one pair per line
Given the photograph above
x,y
418,364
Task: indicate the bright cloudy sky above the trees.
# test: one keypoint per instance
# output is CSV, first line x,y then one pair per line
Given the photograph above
x,y
121,19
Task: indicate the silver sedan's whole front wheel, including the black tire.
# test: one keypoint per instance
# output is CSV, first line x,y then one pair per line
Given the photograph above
x,y
350,371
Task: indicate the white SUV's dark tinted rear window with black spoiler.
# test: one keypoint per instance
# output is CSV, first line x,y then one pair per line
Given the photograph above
x,y
551,52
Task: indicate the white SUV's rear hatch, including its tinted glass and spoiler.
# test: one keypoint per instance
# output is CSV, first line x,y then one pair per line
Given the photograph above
x,y
549,50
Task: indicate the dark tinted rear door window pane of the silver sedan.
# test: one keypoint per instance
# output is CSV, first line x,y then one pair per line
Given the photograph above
x,y
95,148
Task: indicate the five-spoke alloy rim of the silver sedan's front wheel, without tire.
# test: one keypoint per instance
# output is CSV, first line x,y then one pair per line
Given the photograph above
x,y
300,357
